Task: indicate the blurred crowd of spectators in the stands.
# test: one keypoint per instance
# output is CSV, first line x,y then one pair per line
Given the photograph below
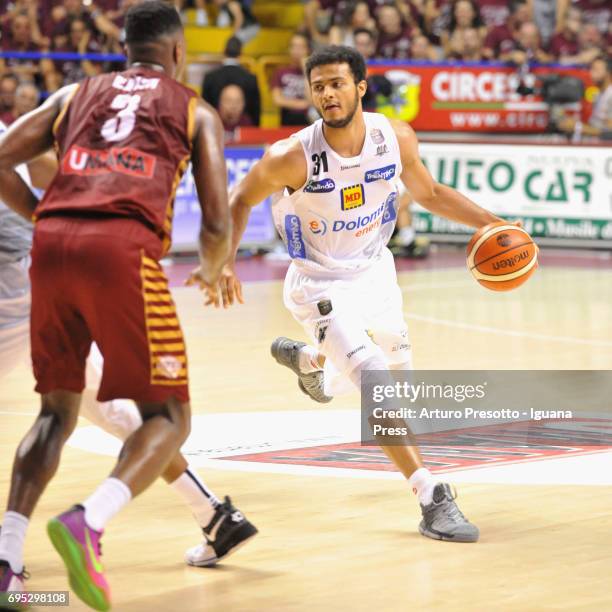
x,y
513,31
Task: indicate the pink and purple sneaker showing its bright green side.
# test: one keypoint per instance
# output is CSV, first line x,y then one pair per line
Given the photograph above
x,y
79,547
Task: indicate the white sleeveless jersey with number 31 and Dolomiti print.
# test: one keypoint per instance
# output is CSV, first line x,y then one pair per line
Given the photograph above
x,y
341,218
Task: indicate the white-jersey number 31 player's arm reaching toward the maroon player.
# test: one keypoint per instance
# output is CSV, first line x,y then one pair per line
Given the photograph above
x,y
282,166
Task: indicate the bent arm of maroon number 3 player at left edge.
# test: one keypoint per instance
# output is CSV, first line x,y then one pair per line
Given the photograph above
x,y
27,138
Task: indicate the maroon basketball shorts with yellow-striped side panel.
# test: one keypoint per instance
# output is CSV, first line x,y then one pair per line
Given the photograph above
x,y
100,280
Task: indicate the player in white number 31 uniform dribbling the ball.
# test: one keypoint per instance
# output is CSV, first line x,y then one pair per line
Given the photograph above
x,y
338,211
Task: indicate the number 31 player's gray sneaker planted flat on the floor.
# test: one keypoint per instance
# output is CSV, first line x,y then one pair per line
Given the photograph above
x,y
442,519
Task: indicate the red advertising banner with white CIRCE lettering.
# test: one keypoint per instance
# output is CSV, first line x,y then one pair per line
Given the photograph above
x,y
483,98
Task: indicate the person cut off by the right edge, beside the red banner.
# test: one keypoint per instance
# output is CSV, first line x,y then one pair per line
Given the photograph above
x,y
600,122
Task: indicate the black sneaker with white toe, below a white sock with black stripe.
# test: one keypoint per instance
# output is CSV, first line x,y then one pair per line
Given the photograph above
x,y
226,532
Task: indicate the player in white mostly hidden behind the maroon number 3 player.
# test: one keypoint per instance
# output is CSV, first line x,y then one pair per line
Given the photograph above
x,y
224,527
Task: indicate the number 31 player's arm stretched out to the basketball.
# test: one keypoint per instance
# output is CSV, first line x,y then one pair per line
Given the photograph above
x,y
437,198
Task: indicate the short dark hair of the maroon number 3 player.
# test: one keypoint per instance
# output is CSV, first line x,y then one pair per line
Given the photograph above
x,y
147,21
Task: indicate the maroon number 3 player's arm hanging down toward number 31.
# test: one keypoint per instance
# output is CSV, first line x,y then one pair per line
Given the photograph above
x,y
210,177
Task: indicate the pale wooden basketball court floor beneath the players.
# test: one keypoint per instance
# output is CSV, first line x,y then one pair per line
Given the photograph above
x,y
342,539
